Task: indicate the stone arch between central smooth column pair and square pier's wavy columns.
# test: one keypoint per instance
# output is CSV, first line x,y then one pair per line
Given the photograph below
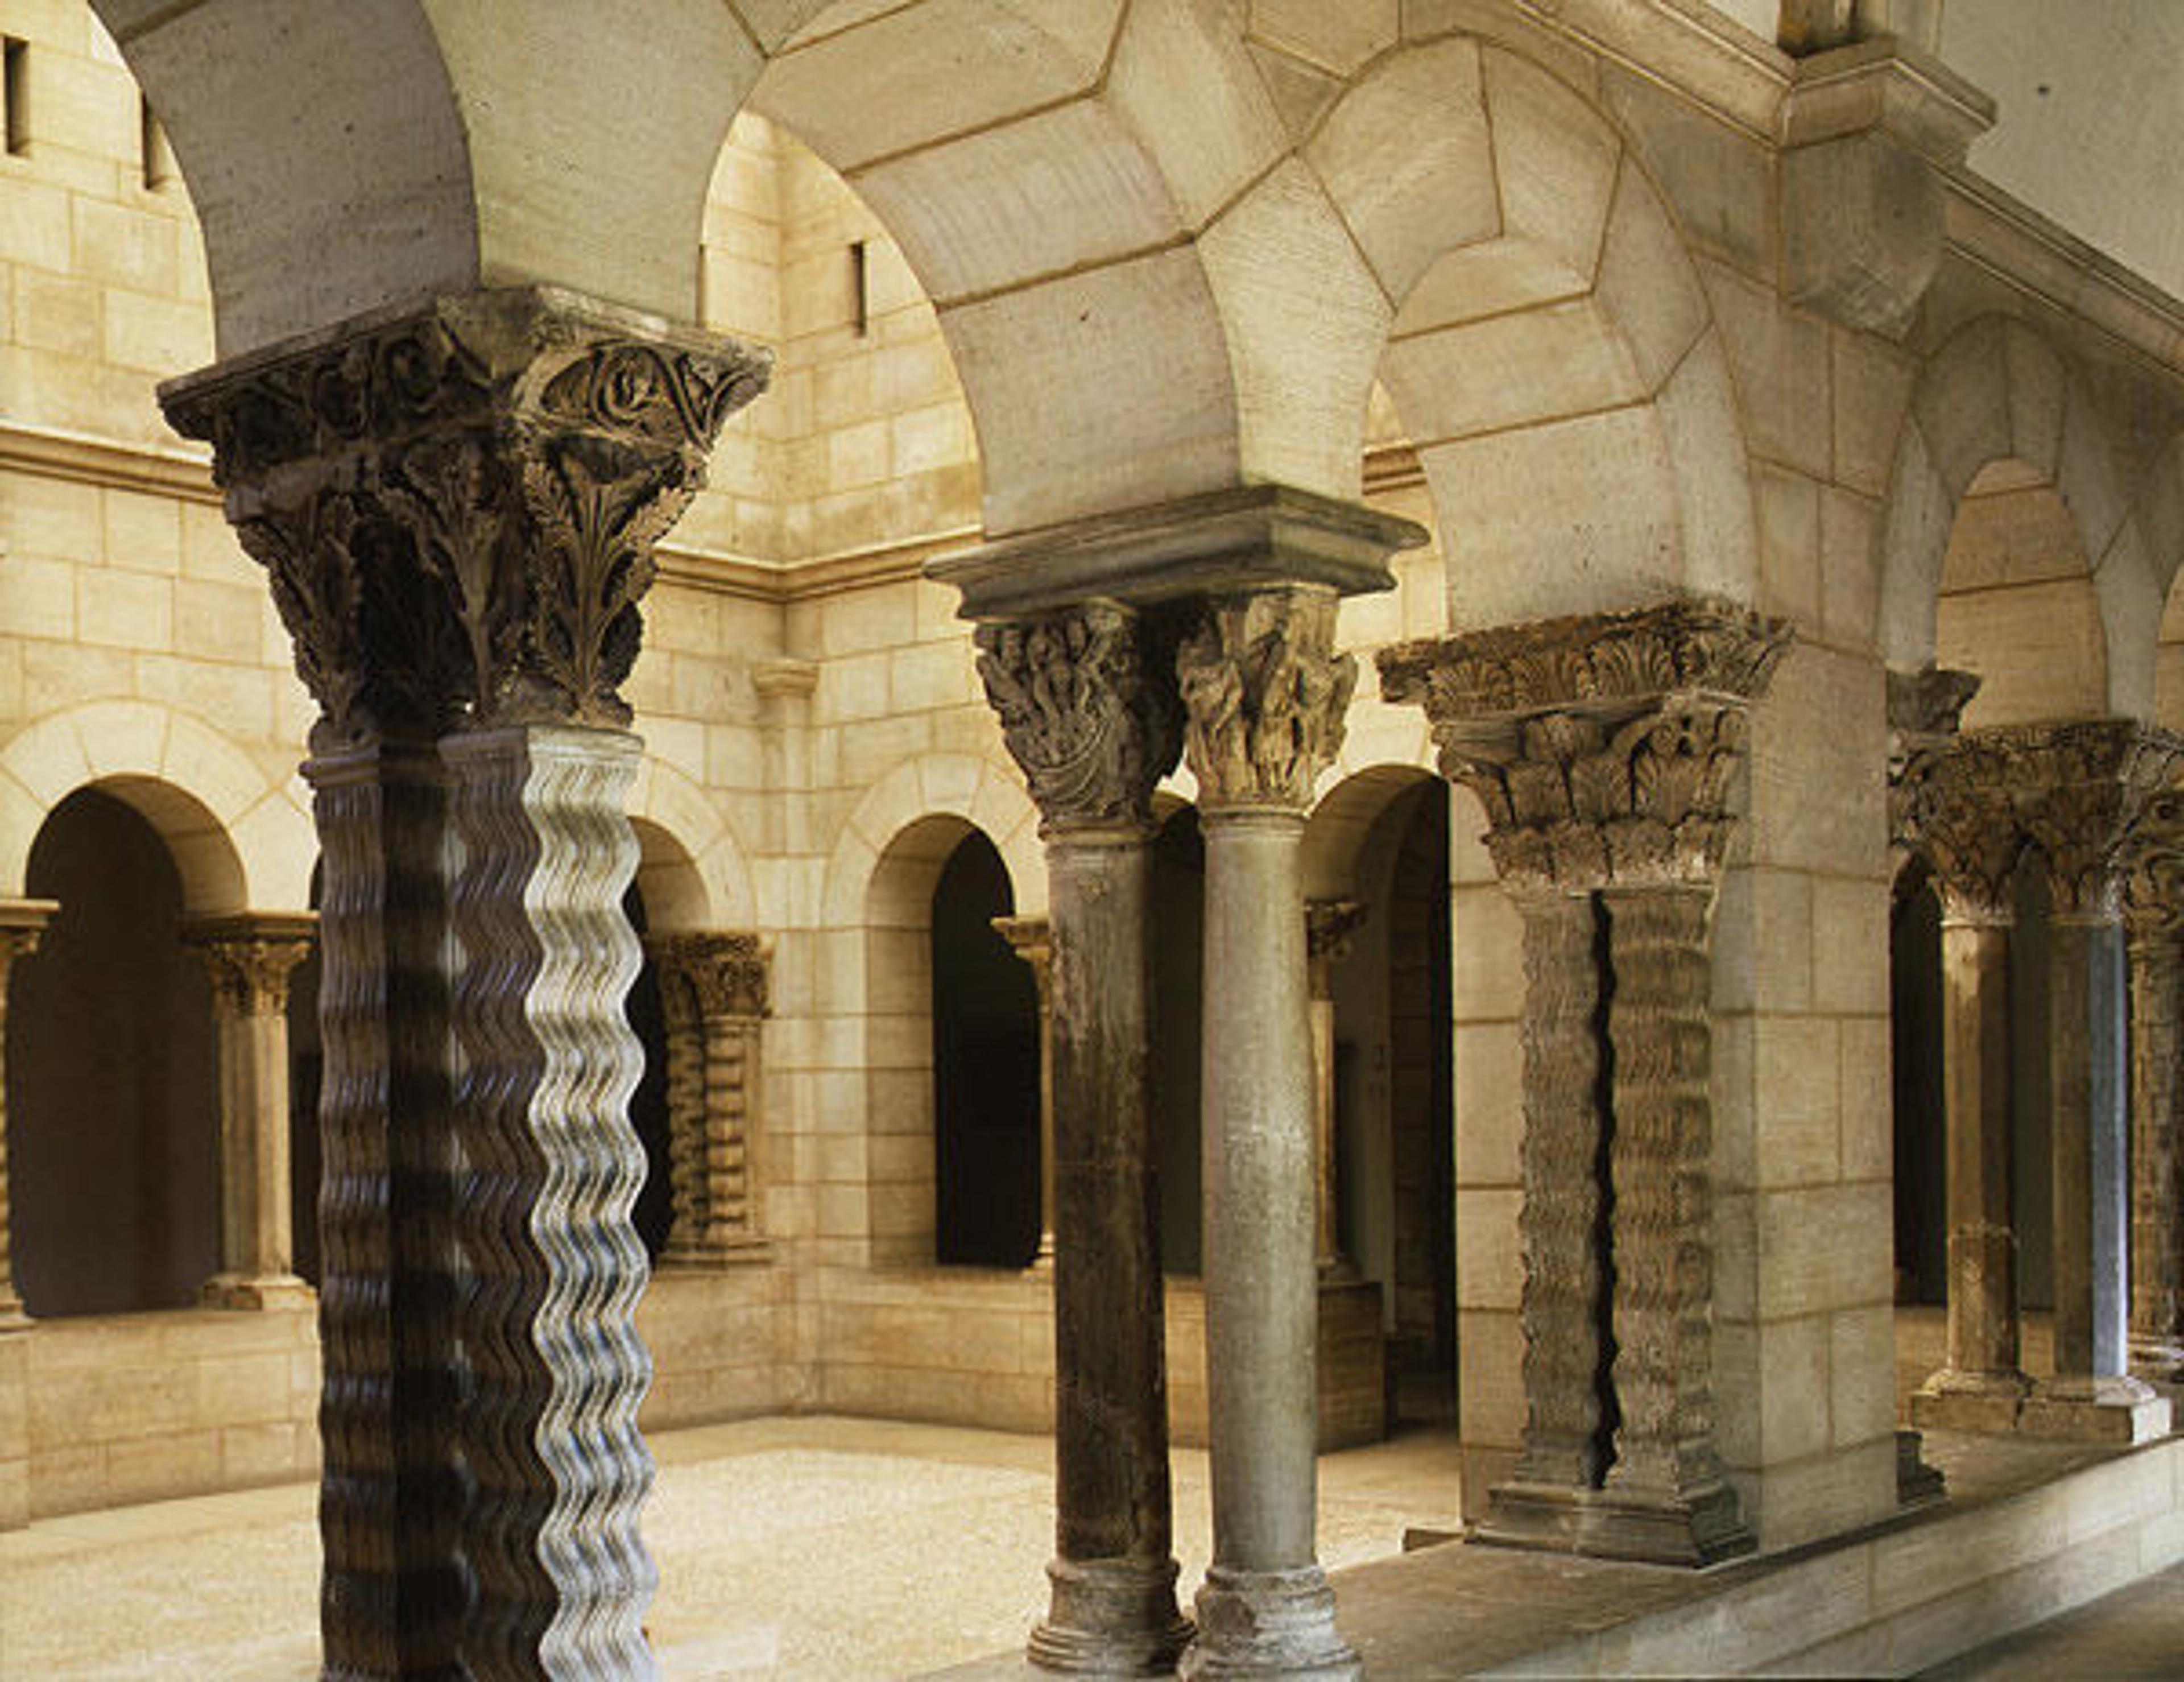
x,y
1547,329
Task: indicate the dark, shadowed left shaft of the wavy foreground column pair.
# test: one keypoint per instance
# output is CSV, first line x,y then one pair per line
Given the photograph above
x,y
392,1489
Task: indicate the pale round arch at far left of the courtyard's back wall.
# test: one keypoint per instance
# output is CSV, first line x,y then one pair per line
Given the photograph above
x,y
239,840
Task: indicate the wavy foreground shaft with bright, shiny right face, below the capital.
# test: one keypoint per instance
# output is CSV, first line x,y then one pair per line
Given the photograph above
x,y
551,1174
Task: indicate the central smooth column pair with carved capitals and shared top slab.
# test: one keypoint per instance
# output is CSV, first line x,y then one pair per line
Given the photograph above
x,y
1102,670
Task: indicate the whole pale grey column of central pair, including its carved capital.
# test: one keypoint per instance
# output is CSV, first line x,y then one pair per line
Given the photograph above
x,y
1266,698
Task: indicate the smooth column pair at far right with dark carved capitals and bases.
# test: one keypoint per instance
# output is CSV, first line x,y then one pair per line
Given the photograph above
x,y
2085,801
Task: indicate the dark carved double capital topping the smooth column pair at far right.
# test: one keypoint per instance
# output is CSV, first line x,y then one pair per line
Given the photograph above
x,y
2074,792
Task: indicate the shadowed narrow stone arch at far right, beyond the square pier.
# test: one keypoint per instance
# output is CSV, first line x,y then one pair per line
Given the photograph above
x,y
1997,392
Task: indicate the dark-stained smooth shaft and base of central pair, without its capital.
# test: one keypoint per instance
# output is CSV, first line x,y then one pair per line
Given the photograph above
x,y
1115,1572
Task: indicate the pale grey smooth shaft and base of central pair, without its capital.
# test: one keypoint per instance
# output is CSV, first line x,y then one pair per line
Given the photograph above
x,y
1266,1607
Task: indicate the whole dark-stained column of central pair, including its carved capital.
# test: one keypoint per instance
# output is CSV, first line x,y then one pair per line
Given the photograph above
x,y
1091,720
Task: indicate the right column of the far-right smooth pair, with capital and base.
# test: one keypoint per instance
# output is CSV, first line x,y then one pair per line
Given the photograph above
x,y
2085,792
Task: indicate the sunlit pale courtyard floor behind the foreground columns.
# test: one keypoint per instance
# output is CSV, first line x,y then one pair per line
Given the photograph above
x,y
809,1550
